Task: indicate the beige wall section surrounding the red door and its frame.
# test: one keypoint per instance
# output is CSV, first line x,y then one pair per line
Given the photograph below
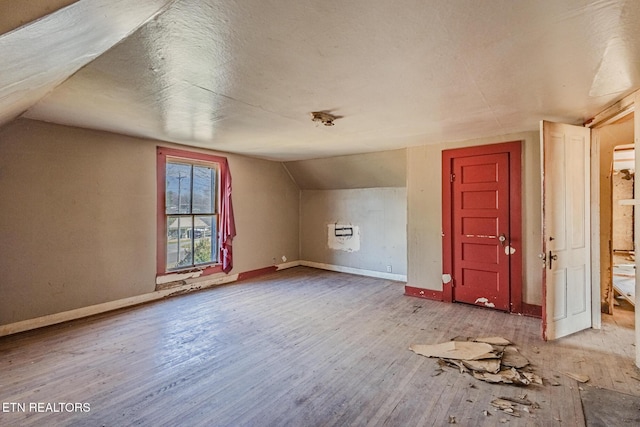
x,y
424,212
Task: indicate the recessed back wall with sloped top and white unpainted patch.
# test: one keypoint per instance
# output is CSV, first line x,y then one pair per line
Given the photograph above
x,y
366,191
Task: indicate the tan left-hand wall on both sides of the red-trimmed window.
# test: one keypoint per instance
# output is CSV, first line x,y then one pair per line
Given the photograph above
x,y
78,222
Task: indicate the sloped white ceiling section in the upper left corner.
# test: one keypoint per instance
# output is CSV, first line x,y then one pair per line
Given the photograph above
x,y
39,56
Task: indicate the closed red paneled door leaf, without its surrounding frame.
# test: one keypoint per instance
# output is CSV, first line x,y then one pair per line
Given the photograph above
x,y
480,206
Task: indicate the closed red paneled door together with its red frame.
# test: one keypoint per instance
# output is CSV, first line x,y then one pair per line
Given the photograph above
x,y
482,202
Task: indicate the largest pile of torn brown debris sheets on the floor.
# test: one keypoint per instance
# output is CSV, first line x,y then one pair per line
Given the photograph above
x,y
490,359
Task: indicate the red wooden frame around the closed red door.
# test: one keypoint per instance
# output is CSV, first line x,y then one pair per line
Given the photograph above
x,y
514,149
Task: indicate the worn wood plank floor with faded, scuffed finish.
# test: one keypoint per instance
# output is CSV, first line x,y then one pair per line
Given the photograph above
x,y
301,347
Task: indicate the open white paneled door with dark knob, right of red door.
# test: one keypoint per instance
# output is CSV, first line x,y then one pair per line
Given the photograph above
x,y
566,229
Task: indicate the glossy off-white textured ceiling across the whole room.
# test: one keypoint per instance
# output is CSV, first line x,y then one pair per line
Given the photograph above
x,y
244,76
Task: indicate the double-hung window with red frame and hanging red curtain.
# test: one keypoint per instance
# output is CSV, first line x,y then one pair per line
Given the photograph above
x,y
195,220
